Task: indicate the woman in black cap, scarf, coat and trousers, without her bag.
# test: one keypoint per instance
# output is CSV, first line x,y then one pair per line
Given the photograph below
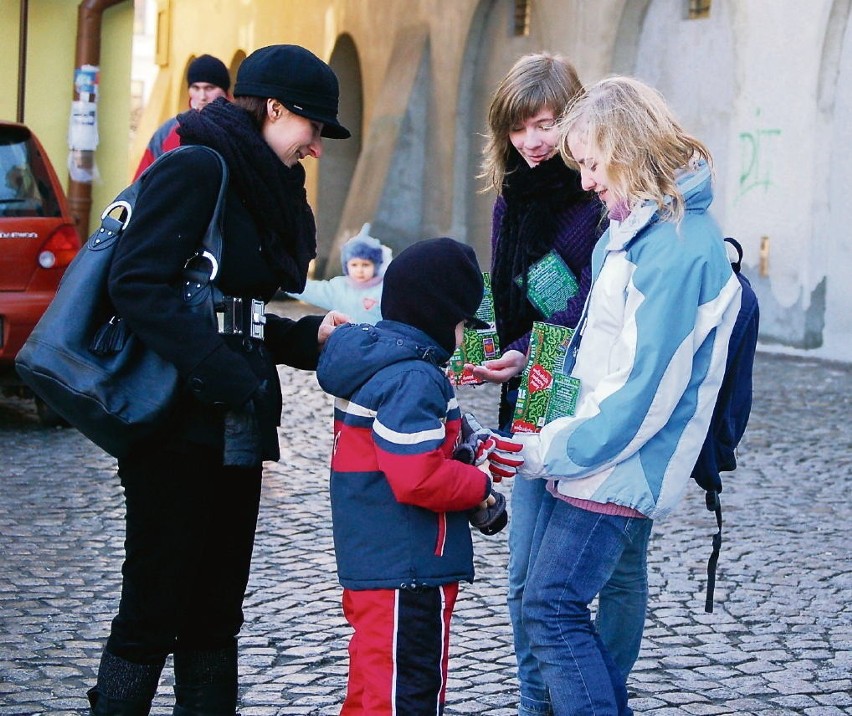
x,y
192,491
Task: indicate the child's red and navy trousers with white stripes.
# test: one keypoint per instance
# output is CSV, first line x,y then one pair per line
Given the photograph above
x,y
399,652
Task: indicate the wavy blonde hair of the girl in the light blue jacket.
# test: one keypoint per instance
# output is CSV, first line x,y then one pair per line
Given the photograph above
x,y
633,133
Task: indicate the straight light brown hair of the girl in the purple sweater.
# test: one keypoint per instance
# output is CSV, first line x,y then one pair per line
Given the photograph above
x,y
535,82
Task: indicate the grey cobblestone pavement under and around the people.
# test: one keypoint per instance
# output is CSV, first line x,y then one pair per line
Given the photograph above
x,y
778,642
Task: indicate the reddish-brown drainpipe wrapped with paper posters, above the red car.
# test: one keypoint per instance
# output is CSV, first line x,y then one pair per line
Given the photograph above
x,y
83,131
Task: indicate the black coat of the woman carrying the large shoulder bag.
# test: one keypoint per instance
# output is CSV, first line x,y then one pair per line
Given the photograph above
x,y
219,372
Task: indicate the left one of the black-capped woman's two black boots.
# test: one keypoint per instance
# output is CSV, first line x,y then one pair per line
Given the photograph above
x,y
124,688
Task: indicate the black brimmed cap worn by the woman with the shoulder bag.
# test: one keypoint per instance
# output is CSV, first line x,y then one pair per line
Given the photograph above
x,y
298,79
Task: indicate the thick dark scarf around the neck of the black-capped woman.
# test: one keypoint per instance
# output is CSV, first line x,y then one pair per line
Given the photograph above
x,y
273,193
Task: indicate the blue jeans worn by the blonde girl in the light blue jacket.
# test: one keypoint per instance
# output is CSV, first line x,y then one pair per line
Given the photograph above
x,y
574,555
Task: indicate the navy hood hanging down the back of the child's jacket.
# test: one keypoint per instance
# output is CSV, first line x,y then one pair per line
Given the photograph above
x,y
354,353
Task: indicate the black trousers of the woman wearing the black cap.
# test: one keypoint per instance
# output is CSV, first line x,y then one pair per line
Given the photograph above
x,y
190,532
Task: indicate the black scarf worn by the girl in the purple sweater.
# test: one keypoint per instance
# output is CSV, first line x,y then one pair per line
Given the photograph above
x,y
535,197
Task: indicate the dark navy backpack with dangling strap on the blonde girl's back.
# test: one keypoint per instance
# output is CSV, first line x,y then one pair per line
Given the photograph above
x,y
730,415
